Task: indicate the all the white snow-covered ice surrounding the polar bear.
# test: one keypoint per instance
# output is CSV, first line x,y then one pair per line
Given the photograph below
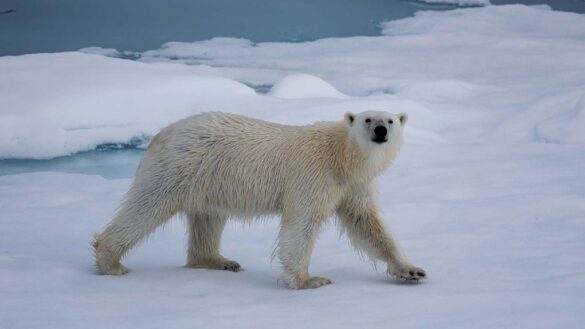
x,y
487,194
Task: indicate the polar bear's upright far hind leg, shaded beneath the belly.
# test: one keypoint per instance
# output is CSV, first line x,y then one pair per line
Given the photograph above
x,y
205,230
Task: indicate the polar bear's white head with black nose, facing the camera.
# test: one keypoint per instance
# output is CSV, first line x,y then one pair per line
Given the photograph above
x,y
373,129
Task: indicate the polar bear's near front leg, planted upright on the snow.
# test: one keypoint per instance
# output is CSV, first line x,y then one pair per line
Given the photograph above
x,y
295,244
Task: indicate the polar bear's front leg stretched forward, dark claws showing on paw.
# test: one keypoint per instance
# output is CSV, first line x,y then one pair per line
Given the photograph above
x,y
358,215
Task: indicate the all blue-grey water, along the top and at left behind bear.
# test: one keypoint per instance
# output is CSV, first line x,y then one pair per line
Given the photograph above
x,y
33,26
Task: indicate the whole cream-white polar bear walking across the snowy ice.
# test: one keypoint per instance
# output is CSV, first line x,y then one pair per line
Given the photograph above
x,y
216,166
